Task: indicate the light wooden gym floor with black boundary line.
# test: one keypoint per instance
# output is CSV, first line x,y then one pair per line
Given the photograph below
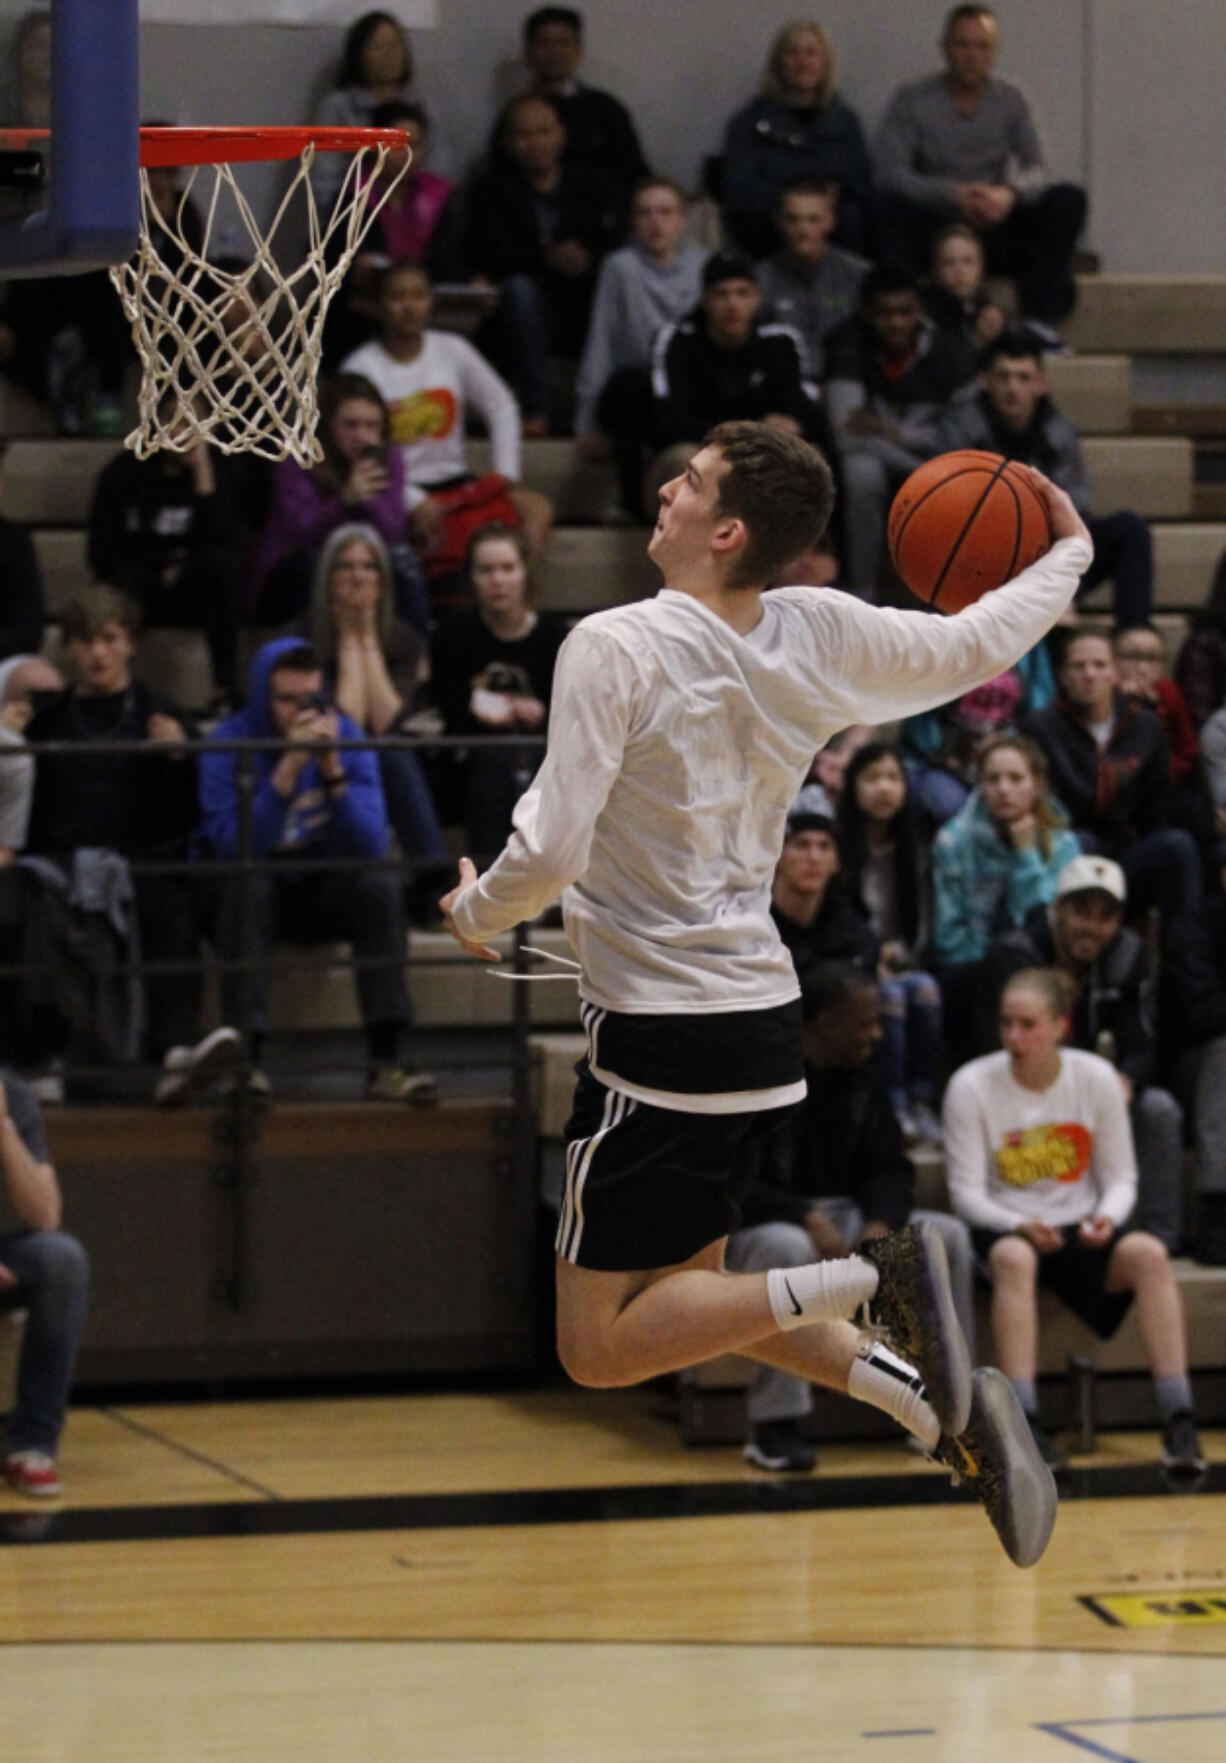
x,y
551,1575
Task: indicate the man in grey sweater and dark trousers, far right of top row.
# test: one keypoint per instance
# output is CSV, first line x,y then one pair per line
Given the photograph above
x,y
964,147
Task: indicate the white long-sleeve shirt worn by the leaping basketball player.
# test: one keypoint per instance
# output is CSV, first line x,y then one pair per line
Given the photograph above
x,y
675,752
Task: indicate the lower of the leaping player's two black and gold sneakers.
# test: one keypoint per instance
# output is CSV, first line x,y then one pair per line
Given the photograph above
x,y
999,1462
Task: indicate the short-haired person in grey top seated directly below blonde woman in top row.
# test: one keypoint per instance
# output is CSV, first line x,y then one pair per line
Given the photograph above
x,y
809,283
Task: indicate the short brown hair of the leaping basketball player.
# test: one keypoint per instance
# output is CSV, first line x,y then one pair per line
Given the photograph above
x,y
781,487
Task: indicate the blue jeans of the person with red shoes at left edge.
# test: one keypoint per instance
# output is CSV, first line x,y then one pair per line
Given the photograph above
x,y
54,1288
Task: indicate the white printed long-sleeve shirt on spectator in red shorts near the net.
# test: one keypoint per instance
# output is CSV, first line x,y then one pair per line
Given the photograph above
x,y
428,401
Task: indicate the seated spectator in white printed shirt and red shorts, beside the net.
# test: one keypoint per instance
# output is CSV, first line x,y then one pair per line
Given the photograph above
x,y
431,383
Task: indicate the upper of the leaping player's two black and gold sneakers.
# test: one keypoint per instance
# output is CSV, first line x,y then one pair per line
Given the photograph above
x,y
915,1307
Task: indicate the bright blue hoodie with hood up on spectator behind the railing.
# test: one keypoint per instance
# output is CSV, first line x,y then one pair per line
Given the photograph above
x,y
313,821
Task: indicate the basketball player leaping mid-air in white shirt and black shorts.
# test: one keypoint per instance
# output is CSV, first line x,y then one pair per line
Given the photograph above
x,y
680,733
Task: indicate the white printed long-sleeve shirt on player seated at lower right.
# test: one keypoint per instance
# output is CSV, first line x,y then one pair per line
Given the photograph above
x,y
1052,1156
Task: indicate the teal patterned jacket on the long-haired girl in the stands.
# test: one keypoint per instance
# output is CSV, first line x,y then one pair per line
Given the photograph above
x,y
983,886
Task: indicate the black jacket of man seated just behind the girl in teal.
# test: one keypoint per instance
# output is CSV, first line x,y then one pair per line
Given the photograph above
x,y
1119,794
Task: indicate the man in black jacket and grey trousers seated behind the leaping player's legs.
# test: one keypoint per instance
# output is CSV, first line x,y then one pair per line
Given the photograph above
x,y
839,1177
